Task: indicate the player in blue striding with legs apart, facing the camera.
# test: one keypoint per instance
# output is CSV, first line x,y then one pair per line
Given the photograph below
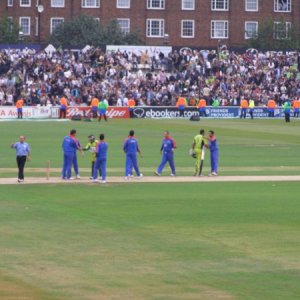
x,y
167,150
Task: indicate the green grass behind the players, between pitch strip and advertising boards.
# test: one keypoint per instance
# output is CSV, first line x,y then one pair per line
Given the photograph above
x,y
244,144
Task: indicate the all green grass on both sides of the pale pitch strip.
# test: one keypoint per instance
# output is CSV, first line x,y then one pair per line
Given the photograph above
x,y
153,241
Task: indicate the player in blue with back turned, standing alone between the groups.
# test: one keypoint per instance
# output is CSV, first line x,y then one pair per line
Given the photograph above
x,y
131,148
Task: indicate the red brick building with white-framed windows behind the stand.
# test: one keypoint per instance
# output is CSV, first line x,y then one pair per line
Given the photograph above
x,y
174,22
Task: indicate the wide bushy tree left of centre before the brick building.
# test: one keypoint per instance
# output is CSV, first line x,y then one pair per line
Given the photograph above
x,y
85,30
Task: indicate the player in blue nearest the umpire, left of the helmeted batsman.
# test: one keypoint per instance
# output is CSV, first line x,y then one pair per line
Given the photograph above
x,y
69,146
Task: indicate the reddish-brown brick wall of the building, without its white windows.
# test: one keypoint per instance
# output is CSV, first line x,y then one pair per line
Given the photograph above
x,y
172,16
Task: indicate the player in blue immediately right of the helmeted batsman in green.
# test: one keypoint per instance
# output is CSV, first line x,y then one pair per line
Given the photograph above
x,y
101,159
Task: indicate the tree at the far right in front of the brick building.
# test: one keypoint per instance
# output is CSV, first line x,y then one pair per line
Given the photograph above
x,y
279,35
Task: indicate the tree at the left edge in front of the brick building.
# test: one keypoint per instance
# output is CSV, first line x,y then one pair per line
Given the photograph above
x,y
9,31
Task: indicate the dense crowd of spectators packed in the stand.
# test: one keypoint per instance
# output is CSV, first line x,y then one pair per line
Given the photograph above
x,y
150,78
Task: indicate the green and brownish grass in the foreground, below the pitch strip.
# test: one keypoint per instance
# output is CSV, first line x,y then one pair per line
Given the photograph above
x,y
172,241
